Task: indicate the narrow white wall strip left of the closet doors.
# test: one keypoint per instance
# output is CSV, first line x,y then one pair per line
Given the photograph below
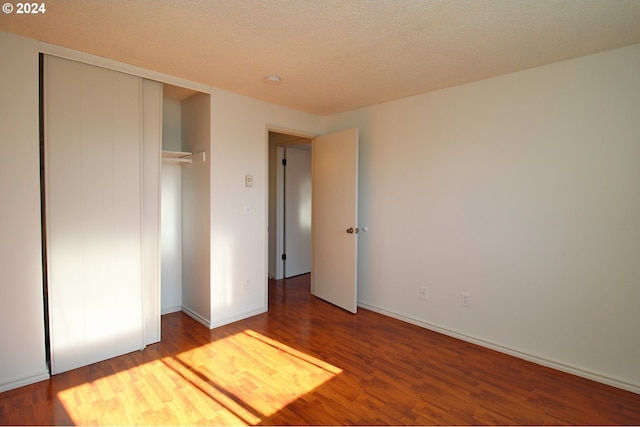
x,y
22,353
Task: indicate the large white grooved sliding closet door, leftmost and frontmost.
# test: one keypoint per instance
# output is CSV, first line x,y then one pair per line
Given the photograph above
x,y
93,200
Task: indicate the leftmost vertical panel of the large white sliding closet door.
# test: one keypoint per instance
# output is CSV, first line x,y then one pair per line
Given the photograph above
x,y
64,215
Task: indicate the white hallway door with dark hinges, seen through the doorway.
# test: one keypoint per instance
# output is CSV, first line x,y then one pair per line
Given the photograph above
x,y
297,211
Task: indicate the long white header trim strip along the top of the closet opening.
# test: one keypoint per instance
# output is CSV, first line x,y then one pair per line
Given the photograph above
x,y
87,58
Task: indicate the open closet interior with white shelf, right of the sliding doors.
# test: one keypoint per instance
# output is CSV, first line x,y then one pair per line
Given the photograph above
x,y
185,203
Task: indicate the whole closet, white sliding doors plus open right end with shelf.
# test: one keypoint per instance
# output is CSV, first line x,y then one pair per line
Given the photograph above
x,y
103,185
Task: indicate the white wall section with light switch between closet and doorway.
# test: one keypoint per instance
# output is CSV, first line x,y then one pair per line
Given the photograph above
x,y
238,213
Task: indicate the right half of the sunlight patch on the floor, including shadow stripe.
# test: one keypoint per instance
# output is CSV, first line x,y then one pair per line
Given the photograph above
x,y
253,375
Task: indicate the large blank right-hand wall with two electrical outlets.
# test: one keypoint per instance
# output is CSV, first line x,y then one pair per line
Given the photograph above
x,y
523,190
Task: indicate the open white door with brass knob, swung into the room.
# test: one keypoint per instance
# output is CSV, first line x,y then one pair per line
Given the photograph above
x,y
335,216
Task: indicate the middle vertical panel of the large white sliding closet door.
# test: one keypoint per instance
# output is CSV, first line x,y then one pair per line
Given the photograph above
x,y
97,205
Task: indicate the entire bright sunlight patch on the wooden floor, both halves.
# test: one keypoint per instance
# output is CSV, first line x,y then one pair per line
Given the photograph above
x,y
240,379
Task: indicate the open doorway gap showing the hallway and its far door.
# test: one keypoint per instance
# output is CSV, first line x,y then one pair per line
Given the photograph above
x,y
289,205
